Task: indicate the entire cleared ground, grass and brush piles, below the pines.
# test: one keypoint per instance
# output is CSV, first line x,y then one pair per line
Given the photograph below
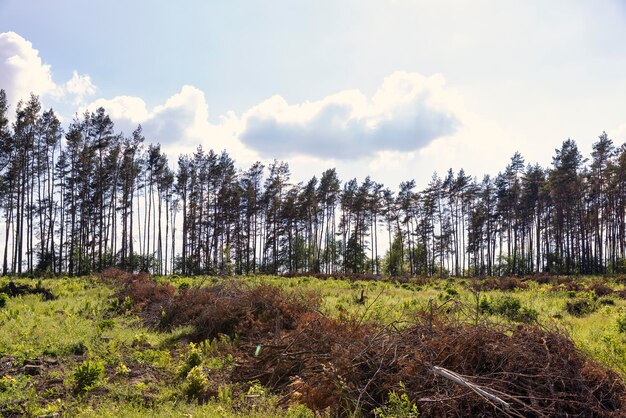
x,y
132,345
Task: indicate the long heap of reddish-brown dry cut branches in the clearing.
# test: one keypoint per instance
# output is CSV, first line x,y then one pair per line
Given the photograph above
x,y
344,364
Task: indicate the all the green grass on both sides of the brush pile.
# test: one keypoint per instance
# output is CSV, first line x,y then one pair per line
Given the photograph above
x,y
142,367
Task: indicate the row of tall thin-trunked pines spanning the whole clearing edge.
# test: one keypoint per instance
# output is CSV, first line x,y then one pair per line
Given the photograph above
x,y
86,198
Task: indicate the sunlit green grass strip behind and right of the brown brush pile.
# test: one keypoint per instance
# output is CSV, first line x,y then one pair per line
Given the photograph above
x,y
596,333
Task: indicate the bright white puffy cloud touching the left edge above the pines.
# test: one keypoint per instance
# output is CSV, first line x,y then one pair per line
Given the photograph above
x,y
21,69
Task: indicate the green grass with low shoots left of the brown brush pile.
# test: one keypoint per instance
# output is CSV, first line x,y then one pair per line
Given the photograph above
x,y
141,366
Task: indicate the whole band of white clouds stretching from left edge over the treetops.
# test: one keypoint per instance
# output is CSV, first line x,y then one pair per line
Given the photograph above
x,y
409,127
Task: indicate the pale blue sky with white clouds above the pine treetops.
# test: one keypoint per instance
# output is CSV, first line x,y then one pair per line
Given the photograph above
x,y
394,89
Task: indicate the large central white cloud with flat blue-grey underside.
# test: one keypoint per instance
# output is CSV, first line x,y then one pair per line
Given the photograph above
x,y
406,113
